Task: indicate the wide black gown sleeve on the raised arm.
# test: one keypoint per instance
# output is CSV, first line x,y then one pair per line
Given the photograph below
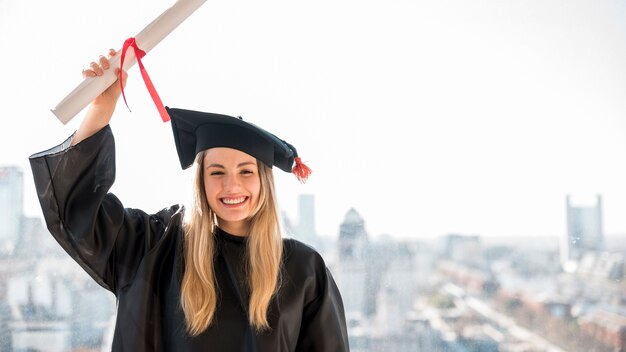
x,y
105,239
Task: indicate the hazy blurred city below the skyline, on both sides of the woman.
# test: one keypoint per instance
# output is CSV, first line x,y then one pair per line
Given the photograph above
x,y
455,293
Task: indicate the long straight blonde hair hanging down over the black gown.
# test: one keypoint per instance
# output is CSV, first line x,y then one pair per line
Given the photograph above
x,y
198,294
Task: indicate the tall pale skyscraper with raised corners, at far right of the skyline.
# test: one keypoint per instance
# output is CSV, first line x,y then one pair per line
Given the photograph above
x,y
584,230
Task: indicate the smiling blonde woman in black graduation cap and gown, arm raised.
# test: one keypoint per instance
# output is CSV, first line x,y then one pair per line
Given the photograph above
x,y
224,280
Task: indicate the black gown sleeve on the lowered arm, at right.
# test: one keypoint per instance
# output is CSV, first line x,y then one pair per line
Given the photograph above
x,y
323,322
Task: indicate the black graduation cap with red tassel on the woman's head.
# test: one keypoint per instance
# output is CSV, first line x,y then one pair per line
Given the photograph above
x,y
195,131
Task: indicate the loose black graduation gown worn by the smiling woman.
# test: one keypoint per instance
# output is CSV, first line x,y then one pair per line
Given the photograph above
x,y
138,257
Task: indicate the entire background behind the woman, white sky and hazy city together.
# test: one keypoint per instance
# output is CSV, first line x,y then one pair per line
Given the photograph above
x,y
469,179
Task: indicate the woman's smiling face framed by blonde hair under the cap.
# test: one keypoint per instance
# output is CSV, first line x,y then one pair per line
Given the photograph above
x,y
232,186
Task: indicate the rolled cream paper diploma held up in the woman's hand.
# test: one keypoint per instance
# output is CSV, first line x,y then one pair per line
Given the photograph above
x,y
147,39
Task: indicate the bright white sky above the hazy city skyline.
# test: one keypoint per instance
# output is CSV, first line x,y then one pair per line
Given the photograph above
x,y
428,117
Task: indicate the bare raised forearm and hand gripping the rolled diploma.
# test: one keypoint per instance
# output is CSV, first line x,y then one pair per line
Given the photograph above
x,y
101,109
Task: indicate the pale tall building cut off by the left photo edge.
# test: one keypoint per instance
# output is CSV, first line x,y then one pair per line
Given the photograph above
x,y
11,184
